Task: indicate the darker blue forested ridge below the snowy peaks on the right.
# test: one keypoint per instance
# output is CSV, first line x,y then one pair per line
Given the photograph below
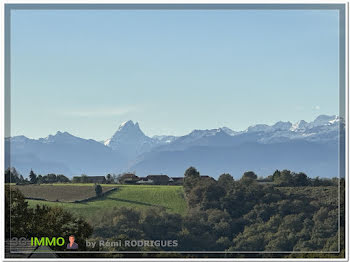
x,y
297,155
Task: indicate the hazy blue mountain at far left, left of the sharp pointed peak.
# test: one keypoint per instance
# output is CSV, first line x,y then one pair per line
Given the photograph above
x,y
62,153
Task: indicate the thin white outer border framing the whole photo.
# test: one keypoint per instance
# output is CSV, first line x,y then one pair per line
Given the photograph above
x,y
2,118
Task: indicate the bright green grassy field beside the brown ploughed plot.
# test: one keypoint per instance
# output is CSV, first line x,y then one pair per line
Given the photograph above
x,y
138,196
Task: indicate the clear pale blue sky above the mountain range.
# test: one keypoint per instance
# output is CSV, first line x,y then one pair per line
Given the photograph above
x,y
87,71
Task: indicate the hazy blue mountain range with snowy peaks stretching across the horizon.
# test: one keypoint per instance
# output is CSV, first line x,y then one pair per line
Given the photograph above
x,y
310,147
